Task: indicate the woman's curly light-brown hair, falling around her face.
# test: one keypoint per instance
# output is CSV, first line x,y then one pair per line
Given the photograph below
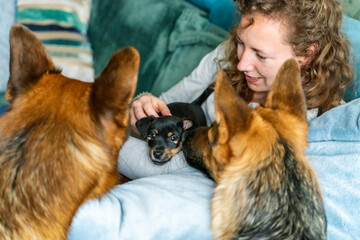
x,y
310,23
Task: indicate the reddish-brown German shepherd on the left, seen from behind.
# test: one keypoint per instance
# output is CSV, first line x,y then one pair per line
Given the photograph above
x,y
60,138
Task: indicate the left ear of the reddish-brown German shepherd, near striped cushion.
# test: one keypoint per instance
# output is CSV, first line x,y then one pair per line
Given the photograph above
x,y
28,61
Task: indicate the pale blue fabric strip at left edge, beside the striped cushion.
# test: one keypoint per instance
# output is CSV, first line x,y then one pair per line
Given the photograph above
x,y
7,18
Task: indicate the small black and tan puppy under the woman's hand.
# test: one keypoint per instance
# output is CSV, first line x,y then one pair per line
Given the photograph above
x,y
164,134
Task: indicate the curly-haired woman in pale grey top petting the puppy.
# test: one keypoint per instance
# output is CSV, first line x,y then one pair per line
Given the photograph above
x,y
270,32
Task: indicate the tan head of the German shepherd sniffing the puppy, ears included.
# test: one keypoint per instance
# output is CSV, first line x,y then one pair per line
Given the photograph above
x,y
245,137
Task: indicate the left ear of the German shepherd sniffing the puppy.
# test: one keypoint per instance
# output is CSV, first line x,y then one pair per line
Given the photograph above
x,y
231,111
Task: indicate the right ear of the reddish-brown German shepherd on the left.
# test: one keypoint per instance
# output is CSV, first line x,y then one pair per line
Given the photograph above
x,y
115,87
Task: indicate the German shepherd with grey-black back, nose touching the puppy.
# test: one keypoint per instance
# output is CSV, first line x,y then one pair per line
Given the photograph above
x,y
265,187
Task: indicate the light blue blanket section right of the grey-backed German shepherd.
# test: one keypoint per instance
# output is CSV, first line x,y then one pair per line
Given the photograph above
x,y
334,152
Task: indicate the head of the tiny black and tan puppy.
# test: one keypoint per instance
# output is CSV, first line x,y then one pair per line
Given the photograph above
x,y
164,136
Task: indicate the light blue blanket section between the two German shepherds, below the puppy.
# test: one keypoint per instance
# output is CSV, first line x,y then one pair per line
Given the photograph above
x,y
172,206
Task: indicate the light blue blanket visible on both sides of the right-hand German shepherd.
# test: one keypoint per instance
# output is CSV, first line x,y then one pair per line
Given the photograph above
x,y
177,205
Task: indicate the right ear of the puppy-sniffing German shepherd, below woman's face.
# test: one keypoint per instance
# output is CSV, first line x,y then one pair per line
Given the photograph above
x,y
286,92
